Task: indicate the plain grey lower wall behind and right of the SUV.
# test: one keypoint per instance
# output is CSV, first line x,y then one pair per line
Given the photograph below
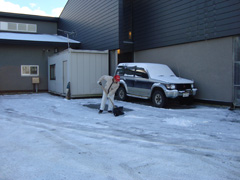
x,y
208,63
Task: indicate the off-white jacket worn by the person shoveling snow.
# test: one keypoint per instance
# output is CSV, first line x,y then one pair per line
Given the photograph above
x,y
110,86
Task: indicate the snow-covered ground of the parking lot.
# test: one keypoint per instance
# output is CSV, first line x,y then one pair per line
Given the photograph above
x,y
46,137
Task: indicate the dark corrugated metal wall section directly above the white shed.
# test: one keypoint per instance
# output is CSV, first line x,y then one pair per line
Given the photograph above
x,y
96,23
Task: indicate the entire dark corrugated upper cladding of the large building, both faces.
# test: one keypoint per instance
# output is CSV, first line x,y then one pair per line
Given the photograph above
x,y
156,23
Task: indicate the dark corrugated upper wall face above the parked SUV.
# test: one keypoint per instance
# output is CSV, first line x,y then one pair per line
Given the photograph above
x,y
159,23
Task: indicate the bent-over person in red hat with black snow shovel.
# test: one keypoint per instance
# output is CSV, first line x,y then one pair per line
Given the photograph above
x,y
111,86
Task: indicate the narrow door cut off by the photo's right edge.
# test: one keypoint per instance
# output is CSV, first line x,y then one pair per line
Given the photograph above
x,y
237,71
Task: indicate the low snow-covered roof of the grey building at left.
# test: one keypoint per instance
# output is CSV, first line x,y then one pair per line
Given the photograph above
x,y
48,38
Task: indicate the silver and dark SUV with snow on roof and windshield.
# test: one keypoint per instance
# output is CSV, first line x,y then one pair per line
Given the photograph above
x,y
152,81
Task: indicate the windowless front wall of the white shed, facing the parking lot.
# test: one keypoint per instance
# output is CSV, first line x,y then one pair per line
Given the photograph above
x,y
86,69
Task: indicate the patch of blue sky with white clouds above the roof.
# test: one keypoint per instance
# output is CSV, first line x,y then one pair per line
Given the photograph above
x,y
35,7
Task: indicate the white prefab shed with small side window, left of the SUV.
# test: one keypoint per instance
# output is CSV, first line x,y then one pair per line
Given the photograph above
x,y
80,68
